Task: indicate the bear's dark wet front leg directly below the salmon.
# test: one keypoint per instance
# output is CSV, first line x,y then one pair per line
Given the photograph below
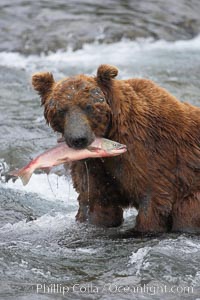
x,y
97,193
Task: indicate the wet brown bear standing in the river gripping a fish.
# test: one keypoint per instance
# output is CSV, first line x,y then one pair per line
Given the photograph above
x,y
159,175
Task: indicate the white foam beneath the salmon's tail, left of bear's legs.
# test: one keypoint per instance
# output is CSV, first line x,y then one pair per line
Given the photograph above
x,y
51,189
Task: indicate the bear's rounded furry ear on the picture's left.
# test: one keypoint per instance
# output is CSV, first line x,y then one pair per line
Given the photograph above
x,y
43,83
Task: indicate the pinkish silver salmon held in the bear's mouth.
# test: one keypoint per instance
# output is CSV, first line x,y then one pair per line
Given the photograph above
x,y
62,153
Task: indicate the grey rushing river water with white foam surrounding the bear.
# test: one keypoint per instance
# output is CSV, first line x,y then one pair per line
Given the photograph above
x,y
44,253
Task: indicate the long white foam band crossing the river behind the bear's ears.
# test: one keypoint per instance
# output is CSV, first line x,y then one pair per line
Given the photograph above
x,y
119,53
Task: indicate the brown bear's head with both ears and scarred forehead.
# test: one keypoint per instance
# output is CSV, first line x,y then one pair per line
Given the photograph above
x,y
79,106
